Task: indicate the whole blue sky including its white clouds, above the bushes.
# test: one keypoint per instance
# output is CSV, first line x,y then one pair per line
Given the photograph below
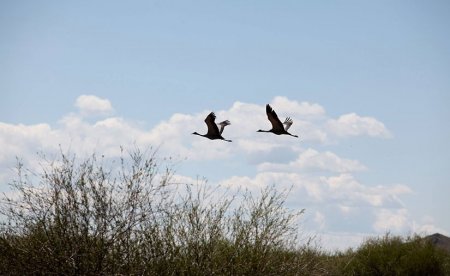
x,y
366,83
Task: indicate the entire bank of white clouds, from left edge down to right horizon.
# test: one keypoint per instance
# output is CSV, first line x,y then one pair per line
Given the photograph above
x,y
321,181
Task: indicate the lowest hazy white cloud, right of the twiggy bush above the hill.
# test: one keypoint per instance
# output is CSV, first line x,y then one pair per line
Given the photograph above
x,y
337,202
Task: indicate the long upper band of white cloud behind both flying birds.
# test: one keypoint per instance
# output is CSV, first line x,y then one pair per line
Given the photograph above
x,y
173,135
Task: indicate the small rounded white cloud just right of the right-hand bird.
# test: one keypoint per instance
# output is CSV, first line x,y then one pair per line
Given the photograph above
x,y
355,125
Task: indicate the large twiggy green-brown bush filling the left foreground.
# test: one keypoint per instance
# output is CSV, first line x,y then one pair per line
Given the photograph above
x,y
95,218
